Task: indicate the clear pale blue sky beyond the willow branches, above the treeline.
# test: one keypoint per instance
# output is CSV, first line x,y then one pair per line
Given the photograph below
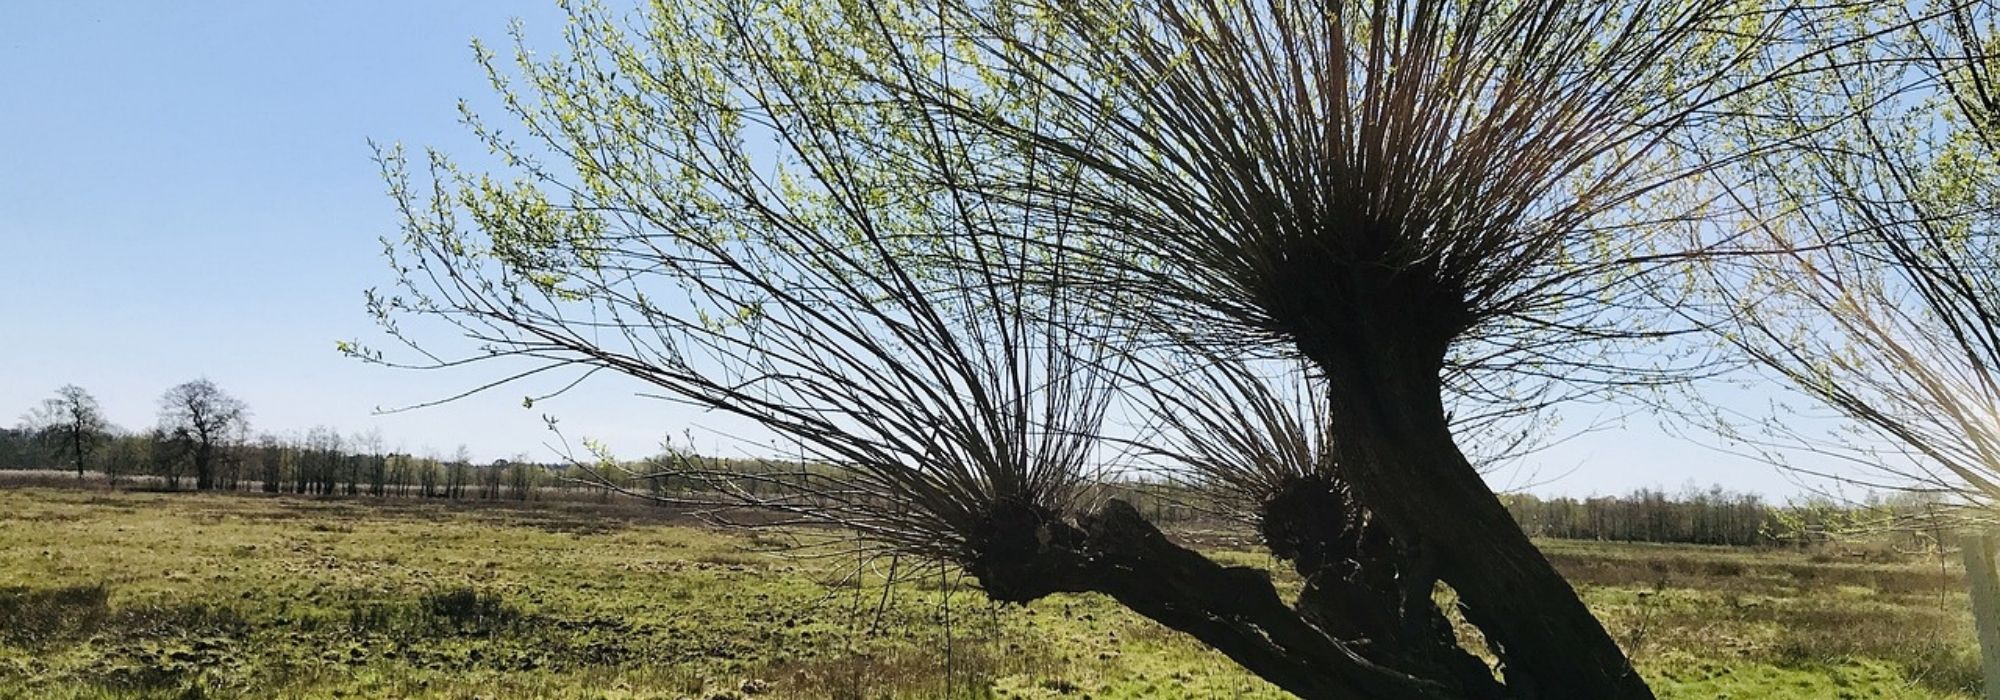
x,y
187,191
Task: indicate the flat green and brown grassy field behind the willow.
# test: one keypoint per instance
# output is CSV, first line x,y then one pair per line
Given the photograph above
x,y
181,595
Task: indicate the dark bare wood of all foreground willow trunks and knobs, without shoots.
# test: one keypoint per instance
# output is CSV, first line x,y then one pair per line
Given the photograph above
x,y
1409,513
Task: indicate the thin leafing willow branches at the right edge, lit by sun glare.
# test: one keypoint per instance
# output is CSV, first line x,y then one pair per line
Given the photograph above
x,y
1867,273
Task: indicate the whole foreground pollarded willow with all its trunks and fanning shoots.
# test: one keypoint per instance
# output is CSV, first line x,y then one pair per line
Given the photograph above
x,y
933,243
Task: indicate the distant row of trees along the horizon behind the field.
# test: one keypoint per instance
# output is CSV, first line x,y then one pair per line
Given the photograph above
x,y
325,463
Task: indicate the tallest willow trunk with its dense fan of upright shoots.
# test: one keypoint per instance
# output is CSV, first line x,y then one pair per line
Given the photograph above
x,y
1419,199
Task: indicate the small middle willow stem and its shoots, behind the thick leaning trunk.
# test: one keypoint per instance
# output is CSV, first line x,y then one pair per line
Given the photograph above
x,y
1255,443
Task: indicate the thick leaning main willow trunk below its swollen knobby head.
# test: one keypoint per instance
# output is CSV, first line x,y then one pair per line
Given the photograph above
x,y
1397,453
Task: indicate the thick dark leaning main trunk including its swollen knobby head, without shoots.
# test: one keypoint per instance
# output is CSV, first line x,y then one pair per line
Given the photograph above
x,y
1381,327
